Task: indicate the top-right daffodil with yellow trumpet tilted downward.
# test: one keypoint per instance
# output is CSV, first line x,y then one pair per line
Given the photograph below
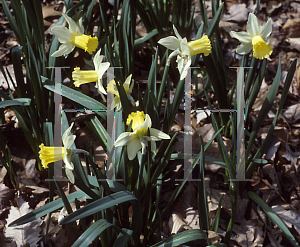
x,y
255,38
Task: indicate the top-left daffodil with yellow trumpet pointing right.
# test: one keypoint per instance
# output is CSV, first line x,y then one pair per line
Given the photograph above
x,y
73,37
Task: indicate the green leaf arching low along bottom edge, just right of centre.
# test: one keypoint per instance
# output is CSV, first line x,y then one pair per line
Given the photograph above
x,y
181,238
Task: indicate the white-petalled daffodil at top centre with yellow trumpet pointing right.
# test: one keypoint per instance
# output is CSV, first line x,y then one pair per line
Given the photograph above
x,y
183,50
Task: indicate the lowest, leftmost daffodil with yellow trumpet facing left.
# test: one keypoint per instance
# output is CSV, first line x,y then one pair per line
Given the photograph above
x,y
52,154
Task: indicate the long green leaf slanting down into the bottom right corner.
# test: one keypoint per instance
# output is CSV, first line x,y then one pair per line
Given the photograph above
x,y
274,218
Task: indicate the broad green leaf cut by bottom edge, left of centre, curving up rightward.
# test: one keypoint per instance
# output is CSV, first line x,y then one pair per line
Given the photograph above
x,y
91,233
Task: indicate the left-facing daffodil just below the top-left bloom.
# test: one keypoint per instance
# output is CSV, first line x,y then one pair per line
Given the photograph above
x,y
86,76
